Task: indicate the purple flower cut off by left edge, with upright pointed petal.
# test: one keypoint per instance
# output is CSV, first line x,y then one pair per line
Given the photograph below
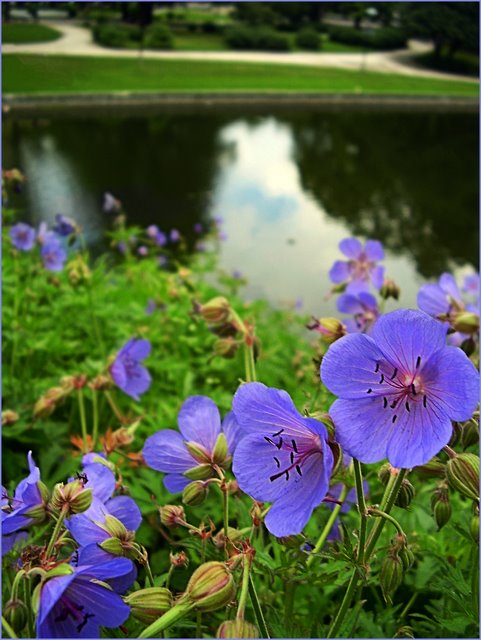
x,y
16,512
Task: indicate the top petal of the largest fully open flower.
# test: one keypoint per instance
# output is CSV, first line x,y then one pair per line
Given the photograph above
x,y
404,335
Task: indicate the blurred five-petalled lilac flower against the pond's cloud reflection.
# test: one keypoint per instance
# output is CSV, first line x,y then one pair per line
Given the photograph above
x,y
361,268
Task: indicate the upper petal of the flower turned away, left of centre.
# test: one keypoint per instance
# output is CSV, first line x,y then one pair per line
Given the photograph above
x,y
199,421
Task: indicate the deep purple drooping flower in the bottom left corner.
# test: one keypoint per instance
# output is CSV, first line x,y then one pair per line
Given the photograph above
x,y
77,604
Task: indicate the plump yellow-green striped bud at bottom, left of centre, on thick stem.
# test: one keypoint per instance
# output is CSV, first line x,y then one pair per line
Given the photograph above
x,y
210,587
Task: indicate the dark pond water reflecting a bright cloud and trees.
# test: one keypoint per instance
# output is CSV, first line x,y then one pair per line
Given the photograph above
x,y
289,184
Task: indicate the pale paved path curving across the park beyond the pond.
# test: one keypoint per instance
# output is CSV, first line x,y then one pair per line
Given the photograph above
x,y
77,41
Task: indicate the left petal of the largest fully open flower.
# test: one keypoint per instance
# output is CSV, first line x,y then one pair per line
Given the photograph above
x,y
350,367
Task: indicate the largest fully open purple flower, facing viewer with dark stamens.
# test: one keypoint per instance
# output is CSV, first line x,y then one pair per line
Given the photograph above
x,y
399,389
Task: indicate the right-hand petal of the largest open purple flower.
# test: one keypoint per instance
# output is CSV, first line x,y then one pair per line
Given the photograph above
x,y
452,383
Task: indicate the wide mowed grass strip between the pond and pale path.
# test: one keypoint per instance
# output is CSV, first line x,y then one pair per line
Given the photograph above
x,y
30,74
